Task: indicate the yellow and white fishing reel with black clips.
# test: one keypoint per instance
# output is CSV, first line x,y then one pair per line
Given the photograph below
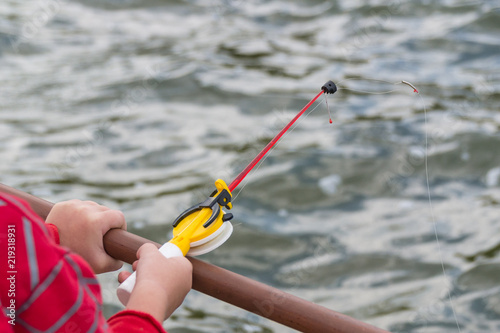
x,y
206,224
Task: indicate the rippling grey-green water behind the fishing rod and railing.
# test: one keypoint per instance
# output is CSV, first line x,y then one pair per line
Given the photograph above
x,y
141,105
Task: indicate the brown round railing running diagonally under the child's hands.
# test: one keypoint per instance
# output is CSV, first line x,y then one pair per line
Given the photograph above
x,y
232,288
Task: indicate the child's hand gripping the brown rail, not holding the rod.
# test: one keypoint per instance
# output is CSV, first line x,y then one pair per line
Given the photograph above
x,y
82,225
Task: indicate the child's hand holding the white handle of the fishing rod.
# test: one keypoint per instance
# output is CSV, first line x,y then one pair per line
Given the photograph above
x,y
161,283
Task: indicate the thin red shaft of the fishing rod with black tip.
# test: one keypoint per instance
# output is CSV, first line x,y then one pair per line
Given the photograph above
x,y
328,88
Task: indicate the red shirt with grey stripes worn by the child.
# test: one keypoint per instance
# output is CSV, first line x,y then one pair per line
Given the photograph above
x,y
44,287
